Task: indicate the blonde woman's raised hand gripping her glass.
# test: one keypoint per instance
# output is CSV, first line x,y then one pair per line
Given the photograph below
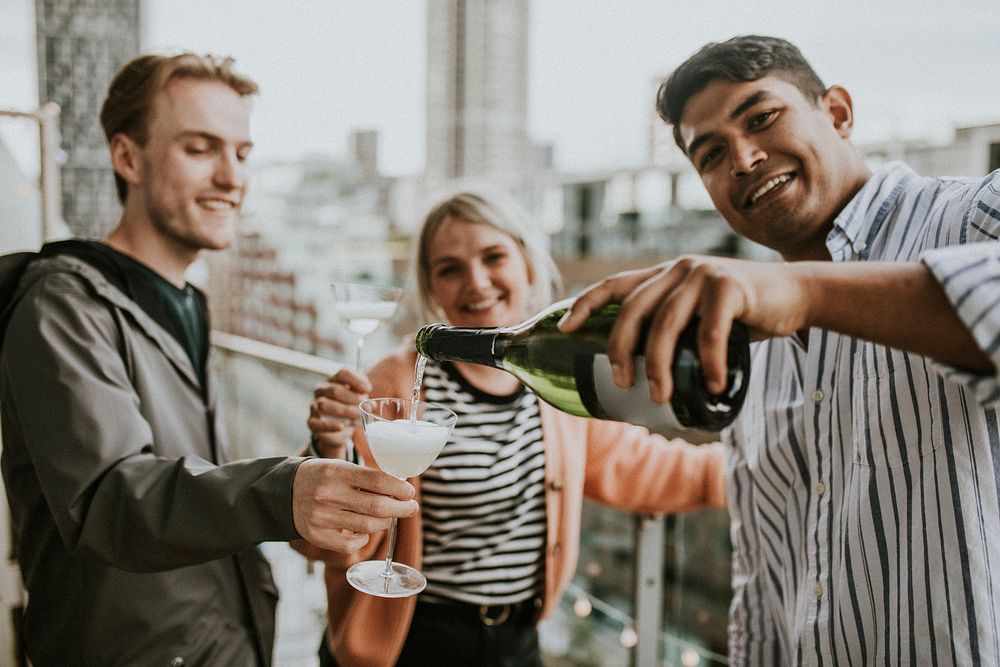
x,y
334,412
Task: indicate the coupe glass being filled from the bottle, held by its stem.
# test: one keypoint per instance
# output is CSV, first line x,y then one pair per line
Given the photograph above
x,y
405,437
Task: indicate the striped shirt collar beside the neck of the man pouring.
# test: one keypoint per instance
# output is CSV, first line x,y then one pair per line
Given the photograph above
x,y
857,225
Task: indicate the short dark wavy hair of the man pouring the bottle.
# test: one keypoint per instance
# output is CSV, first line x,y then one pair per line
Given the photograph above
x,y
743,58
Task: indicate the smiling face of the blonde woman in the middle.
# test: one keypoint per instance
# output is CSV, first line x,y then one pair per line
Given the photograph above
x,y
478,275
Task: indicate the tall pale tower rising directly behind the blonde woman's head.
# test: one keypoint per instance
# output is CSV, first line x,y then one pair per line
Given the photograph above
x,y
477,90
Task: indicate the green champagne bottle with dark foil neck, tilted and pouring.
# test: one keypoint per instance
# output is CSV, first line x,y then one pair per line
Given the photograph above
x,y
571,371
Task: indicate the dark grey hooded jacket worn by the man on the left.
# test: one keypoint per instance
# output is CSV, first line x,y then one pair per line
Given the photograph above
x,y
136,538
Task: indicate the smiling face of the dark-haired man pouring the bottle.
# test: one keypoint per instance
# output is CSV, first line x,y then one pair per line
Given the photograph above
x,y
778,167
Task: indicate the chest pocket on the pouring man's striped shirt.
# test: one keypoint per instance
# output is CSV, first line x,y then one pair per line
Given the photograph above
x,y
891,404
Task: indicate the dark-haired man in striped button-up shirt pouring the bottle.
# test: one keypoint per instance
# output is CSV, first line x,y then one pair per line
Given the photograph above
x,y
865,466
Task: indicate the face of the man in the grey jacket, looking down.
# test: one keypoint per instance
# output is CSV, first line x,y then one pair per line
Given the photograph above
x,y
190,176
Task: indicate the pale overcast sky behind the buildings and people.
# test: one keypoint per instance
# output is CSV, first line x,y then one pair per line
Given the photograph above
x,y
915,68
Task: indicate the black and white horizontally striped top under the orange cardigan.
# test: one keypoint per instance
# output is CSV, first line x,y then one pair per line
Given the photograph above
x,y
483,498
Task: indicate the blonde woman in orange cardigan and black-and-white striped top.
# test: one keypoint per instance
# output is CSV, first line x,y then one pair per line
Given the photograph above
x,y
497,536
